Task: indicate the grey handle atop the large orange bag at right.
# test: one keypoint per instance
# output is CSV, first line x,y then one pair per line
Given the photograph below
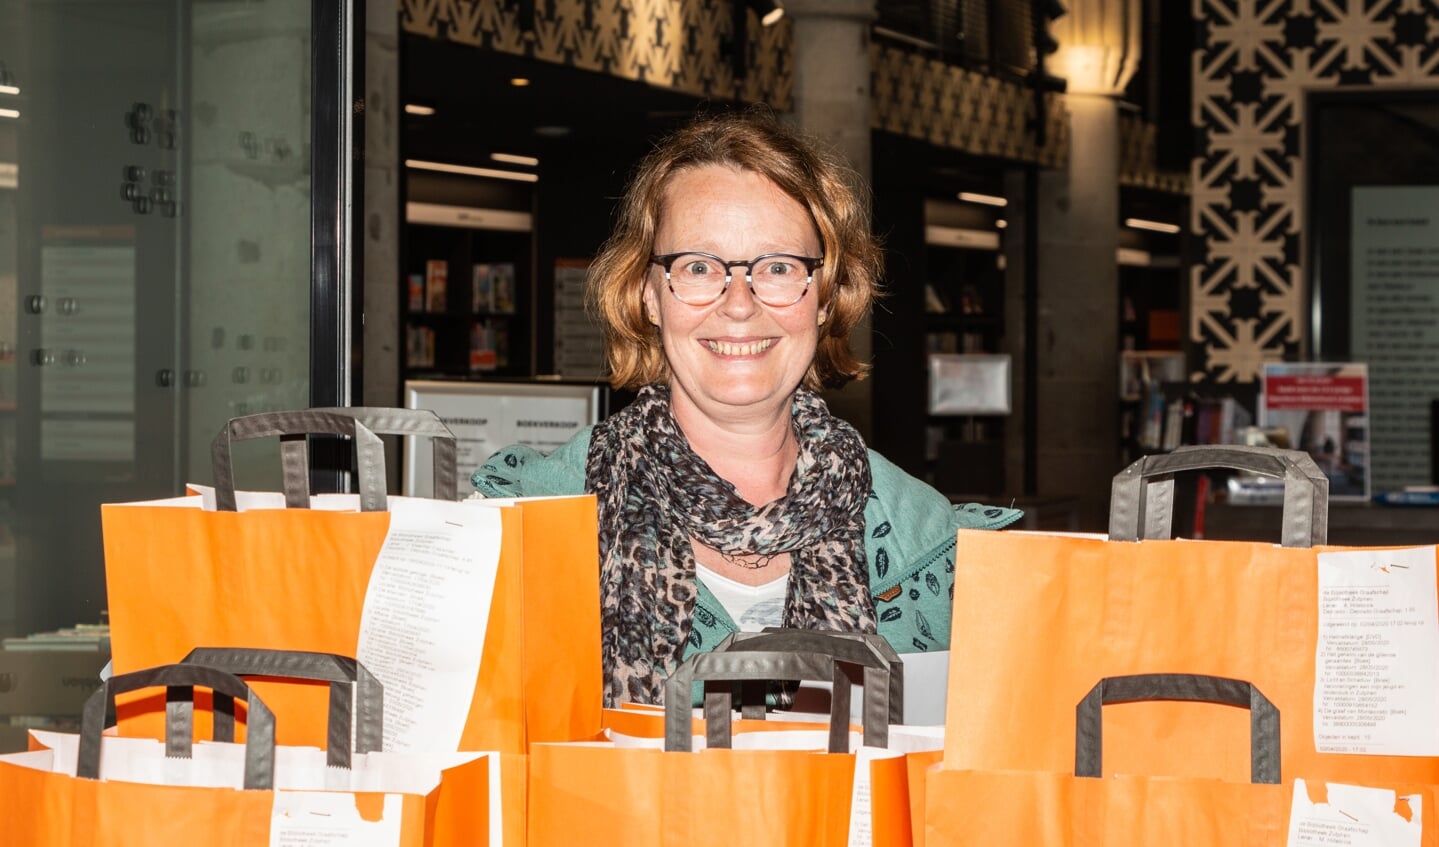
x,y
1142,500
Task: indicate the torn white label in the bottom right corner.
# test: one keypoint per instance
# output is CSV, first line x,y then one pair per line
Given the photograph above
x,y
1355,816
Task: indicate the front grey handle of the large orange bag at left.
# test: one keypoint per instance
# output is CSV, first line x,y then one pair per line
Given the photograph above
x,y
293,428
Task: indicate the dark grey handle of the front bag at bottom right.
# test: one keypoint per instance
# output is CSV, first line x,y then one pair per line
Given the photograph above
x,y
1264,718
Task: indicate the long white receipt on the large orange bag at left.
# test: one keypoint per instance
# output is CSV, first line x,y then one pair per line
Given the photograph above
x,y
422,631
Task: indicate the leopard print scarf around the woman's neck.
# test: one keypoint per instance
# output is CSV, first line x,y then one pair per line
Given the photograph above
x,y
655,494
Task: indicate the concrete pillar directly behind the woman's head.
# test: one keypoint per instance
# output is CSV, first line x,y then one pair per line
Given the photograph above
x,y
832,103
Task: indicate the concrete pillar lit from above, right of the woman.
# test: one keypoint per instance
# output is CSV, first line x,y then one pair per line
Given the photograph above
x,y
1079,329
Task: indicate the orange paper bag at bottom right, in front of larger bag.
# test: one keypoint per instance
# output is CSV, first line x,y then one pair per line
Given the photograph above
x,y
1087,809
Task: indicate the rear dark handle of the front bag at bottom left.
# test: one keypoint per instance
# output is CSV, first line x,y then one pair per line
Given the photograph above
x,y
356,697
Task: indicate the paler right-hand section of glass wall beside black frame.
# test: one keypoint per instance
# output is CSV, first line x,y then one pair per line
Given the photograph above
x,y
248,261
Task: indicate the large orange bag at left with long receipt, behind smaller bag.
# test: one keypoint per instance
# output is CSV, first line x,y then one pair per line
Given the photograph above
x,y
182,574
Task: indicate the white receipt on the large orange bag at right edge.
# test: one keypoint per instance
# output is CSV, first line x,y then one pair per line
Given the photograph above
x,y
1376,667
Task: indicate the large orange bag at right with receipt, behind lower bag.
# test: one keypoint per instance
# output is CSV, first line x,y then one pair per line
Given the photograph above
x,y
1040,618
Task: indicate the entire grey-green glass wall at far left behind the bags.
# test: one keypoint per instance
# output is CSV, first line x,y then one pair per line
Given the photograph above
x,y
155,267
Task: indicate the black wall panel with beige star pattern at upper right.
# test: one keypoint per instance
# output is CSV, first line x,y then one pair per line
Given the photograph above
x,y
1254,63
